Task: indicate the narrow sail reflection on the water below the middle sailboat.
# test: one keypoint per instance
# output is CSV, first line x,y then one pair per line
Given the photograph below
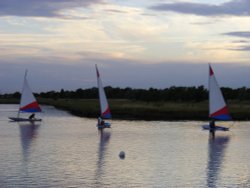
x,y
104,140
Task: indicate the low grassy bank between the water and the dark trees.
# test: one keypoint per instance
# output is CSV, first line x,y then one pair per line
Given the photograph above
x,y
128,109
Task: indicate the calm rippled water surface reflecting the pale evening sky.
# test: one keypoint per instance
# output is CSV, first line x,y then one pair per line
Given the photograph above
x,y
68,151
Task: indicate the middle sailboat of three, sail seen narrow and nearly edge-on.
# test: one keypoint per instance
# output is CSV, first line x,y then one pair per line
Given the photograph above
x,y
105,111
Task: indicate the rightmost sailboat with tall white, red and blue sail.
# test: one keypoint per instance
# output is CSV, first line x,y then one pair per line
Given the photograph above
x,y
217,106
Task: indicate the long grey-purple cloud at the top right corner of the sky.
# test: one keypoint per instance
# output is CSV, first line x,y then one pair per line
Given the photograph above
x,y
233,8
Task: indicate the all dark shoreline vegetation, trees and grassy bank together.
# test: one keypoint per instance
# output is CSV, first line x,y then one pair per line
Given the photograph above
x,y
174,103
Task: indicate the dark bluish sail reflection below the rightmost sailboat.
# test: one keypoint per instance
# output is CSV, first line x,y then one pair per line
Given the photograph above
x,y
216,152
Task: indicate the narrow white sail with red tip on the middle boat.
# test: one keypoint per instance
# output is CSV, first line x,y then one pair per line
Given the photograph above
x,y
105,111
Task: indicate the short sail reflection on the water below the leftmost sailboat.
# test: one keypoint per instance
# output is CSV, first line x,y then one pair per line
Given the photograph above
x,y
28,133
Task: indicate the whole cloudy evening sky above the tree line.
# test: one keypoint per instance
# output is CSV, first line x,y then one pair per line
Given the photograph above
x,y
138,44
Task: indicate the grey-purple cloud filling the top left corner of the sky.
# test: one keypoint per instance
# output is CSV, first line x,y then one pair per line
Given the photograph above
x,y
41,8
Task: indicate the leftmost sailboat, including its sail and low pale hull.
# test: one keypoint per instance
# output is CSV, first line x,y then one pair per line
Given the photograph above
x,y
28,103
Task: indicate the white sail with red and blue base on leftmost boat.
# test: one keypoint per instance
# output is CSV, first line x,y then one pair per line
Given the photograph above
x,y
28,102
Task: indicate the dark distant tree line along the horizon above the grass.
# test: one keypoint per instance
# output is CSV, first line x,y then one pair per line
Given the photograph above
x,y
180,94
